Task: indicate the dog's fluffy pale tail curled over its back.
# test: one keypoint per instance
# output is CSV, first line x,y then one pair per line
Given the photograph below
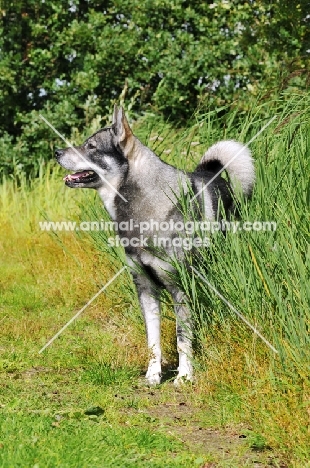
x,y
237,161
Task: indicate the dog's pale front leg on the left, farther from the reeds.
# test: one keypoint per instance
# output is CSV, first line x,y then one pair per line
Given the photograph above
x,y
151,312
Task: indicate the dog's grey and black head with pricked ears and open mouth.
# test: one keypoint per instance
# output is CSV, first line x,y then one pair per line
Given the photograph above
x,y
102,157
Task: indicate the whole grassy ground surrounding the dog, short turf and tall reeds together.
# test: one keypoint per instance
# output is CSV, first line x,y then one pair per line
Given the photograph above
x,y
83,401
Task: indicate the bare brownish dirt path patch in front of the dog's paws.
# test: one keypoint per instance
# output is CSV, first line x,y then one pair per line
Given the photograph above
x,y
226,447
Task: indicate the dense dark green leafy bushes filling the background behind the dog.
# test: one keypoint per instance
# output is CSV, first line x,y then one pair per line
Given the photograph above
x,y
71,60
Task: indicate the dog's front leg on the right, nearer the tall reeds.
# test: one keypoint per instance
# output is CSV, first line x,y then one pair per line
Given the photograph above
x,y
184,338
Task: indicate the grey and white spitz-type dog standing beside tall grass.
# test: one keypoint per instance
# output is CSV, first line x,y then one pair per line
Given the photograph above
x,y
136,186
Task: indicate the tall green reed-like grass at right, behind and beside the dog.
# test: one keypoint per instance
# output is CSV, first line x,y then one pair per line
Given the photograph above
x,y
266,274
